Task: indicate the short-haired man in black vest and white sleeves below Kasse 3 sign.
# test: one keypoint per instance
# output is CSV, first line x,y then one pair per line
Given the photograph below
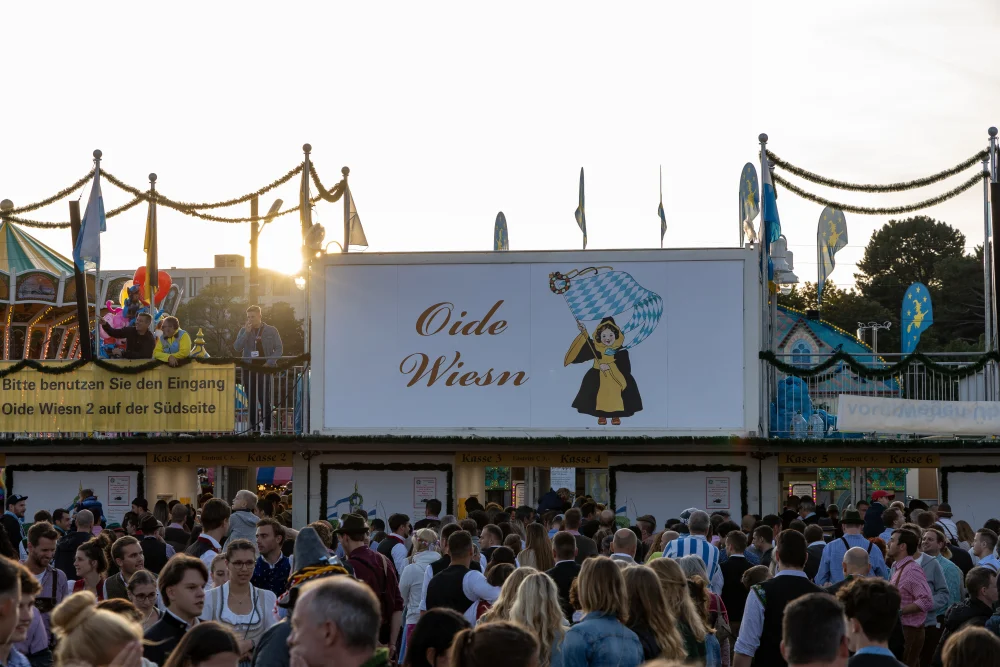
x,y
458,587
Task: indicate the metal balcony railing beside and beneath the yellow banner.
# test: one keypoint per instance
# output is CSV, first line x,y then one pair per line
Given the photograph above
x,y
264,404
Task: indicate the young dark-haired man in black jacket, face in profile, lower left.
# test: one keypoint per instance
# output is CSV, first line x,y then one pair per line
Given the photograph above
x,y
182,590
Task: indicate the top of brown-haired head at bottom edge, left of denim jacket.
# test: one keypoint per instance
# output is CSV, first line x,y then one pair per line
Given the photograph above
x,y
495,645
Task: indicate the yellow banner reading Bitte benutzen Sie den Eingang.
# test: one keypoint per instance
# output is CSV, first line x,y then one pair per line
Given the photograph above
x,y
196,397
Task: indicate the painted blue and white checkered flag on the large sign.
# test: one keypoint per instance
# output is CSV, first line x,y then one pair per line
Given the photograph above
x,y
596,295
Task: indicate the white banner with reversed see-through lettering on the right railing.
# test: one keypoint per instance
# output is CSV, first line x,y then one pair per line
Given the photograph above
x,y
866,414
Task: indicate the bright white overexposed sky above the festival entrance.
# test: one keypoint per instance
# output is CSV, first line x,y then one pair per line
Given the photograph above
x,y
449,112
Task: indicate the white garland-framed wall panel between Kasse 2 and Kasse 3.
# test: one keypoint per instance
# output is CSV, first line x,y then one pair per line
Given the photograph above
x,y
382,493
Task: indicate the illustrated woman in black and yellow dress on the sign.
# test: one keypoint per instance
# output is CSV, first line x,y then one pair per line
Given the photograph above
x,y
608,389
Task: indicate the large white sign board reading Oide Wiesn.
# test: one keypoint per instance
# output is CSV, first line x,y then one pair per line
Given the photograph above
x,y
497,344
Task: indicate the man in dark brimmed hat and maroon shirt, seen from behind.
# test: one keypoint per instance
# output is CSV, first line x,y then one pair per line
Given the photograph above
x,y
375,570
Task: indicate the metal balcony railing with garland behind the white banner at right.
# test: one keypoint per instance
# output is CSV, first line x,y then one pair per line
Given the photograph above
x,y
818,394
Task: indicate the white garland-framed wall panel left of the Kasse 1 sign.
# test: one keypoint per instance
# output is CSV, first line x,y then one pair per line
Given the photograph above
x,y
53,489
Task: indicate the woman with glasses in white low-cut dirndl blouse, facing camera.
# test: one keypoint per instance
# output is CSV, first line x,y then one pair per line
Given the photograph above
x,y
246,609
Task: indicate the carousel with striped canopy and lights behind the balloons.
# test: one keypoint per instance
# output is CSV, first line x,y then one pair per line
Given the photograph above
x,y
38,309
